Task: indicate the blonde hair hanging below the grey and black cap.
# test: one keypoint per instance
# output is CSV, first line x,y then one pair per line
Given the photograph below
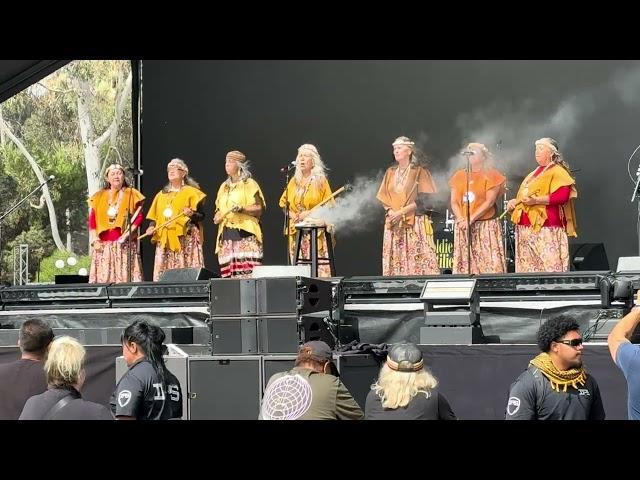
x,y
397,389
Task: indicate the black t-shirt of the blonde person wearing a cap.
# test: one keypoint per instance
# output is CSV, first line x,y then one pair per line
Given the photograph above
x,y
420,407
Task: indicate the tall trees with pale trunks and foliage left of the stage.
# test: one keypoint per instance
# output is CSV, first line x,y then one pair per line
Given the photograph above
x,y
71,124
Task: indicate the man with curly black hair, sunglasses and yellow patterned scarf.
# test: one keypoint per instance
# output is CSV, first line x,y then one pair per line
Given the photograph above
x,y
555,386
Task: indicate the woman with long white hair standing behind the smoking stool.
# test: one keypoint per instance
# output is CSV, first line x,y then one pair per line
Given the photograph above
x,y
308,187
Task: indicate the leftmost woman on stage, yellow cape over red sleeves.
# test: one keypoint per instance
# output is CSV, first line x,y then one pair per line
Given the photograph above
x,y
115,214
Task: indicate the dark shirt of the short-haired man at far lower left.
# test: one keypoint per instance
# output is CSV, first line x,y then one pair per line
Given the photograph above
x,y
19,381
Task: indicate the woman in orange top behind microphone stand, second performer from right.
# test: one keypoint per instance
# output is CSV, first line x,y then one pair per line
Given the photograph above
x,y
485,184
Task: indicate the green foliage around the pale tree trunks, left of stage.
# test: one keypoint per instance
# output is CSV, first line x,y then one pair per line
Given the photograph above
x,y
45,118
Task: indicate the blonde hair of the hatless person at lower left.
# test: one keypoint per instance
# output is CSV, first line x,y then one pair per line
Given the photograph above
x,y
64,362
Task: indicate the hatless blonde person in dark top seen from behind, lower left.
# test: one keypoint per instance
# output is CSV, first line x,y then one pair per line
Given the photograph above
x,y
65,373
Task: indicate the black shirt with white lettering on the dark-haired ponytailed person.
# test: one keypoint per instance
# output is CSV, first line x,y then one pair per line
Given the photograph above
x,y
141,394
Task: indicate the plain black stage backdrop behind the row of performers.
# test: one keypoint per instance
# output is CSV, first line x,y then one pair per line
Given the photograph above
x,y
352,111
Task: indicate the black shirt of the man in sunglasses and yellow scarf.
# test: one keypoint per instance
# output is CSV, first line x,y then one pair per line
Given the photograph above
x,y
532,398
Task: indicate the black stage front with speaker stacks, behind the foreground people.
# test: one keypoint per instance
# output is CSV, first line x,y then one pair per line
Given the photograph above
x,y
236,333
